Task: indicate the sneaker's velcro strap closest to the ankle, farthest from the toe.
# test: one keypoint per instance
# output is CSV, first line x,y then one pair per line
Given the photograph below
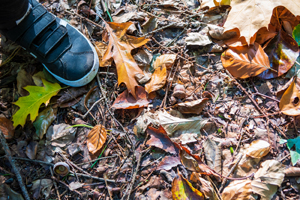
x,y
32,17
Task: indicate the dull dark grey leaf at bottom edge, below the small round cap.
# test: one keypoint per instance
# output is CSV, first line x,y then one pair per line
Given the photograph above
x,y
41,186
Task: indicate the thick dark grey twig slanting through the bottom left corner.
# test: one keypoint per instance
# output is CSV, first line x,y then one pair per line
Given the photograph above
x,y
14,167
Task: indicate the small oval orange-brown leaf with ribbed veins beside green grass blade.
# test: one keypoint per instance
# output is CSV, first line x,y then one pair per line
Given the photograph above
x,y
96,138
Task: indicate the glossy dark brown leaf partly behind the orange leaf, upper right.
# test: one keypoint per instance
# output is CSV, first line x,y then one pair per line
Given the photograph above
x,y
282,51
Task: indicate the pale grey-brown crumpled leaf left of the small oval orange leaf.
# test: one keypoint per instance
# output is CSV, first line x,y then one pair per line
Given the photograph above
x,y
60,135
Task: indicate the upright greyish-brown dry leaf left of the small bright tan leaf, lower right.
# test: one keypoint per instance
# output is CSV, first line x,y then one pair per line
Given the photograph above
x,y
213,155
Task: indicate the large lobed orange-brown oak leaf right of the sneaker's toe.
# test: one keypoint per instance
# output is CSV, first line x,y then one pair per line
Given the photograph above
x,y
119,48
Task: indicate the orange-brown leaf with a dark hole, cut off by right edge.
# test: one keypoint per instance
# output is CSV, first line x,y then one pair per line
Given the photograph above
x,y
290,101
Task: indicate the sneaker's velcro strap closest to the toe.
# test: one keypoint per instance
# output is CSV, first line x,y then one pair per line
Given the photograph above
x,y
54,38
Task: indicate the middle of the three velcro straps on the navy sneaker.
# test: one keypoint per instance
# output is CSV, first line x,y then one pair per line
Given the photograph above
x,y
36,29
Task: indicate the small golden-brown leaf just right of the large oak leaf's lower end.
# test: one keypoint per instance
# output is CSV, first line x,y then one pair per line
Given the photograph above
x,y
158,79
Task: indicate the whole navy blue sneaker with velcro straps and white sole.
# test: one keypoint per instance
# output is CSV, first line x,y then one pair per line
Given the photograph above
x,y
64,51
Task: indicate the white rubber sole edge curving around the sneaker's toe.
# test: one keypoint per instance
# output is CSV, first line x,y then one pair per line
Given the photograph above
x,y
89,76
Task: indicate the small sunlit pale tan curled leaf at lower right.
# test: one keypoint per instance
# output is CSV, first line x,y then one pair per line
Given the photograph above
x,y
258,149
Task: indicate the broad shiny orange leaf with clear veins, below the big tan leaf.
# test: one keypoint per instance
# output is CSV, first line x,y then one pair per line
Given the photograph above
x,y
244,62
